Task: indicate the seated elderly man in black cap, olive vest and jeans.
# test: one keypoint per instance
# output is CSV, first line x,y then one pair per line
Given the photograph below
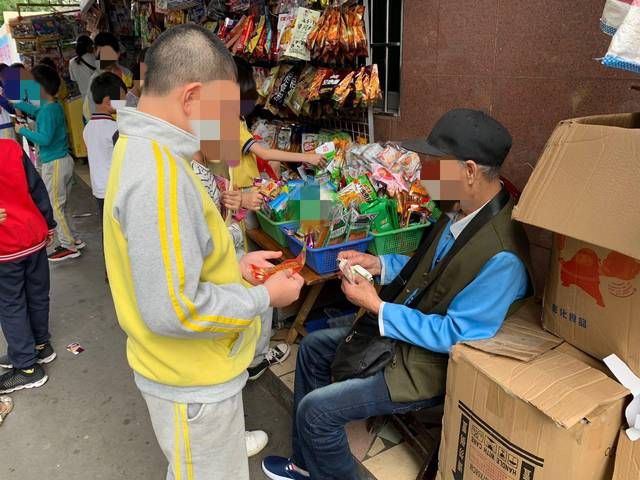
x,y
468,275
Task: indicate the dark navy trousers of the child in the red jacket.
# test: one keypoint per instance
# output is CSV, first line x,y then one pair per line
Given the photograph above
x,y
24,307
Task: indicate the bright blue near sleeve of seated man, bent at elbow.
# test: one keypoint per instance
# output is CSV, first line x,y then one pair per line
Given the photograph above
x,y
476,313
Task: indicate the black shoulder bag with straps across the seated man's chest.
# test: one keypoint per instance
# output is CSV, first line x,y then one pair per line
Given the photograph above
x,y
364,352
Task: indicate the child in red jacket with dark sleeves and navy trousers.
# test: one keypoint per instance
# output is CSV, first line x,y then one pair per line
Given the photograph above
x,y
26,228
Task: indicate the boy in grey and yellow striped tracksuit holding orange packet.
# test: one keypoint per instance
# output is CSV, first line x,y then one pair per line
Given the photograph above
x,y
180,294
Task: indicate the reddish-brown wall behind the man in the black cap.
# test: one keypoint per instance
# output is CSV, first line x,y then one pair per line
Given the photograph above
x,y
527,63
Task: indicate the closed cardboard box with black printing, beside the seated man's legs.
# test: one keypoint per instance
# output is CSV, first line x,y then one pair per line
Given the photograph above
x,y
550,418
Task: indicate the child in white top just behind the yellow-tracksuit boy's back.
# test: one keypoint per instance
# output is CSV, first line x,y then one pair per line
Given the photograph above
x,y
98,133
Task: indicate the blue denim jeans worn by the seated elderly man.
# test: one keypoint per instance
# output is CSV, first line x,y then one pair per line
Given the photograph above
x,y
322,409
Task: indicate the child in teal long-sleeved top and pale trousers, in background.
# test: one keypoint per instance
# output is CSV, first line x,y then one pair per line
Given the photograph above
x,y
57,165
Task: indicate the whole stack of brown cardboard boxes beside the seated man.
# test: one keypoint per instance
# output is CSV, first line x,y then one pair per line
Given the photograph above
x,y
522,407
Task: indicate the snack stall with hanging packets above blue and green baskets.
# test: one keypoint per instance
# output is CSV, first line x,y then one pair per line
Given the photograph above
x,y
316,88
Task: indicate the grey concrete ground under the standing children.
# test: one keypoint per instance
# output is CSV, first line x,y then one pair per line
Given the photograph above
x,y
89,421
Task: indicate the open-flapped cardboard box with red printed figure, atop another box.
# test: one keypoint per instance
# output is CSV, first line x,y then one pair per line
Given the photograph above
x,y
584,188
